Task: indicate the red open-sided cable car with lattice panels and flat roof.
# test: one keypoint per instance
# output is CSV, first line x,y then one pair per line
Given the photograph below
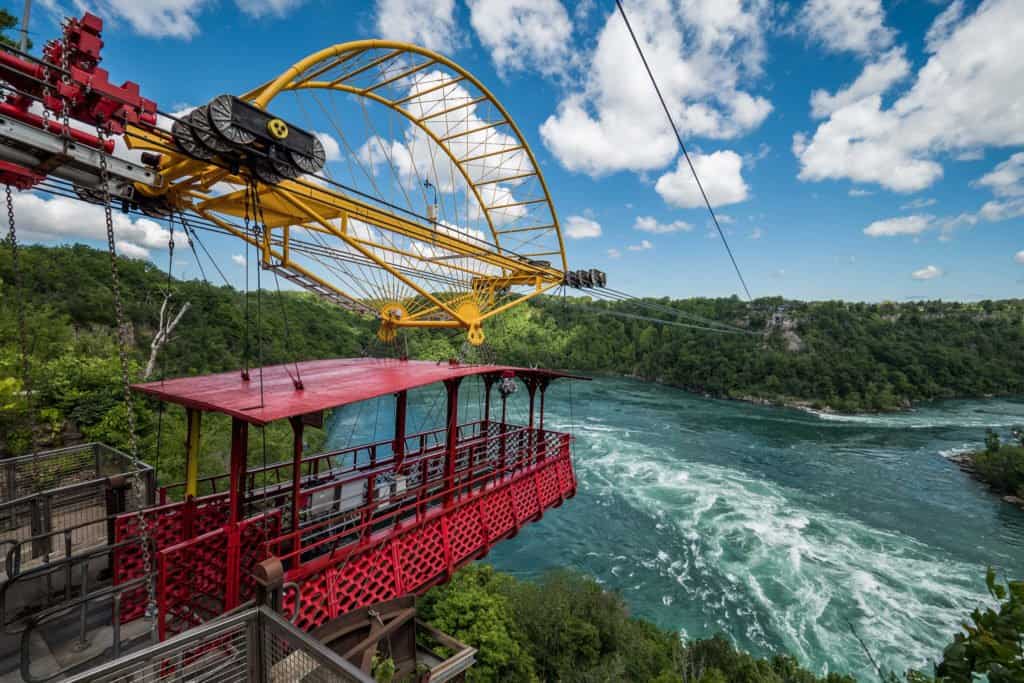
x,y
350,528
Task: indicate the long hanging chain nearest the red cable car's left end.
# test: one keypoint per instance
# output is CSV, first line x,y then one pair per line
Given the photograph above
x,y
144,525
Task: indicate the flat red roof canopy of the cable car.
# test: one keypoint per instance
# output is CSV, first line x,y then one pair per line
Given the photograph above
x,y
271,394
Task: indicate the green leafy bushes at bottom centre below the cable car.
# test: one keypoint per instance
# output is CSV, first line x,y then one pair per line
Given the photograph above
x,y
567,628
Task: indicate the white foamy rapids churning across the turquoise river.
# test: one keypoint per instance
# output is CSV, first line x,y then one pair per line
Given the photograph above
x,y
800,578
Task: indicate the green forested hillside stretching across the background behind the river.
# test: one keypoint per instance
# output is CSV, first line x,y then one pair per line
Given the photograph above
x,y
846,357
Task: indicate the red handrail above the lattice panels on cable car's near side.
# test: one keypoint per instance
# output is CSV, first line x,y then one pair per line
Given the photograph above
x,y
293,539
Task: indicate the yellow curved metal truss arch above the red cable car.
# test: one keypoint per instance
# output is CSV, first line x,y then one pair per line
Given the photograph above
x,y
522,257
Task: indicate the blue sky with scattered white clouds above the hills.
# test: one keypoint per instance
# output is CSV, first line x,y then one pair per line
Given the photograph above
x,y
858,150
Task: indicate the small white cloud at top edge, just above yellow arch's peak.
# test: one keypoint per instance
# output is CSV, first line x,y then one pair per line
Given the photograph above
x,y
426,23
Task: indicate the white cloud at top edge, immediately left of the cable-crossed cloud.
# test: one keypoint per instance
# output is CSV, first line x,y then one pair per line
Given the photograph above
x,y
524,34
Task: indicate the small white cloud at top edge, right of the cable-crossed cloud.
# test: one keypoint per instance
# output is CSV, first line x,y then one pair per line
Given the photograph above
x,y
847,26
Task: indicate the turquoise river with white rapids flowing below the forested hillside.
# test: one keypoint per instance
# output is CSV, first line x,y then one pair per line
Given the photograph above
x,y
785,530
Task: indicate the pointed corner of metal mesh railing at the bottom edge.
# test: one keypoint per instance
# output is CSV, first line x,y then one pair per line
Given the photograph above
x,y
252,646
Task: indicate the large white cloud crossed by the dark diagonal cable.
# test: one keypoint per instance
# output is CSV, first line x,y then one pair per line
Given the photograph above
x,y
704,55
